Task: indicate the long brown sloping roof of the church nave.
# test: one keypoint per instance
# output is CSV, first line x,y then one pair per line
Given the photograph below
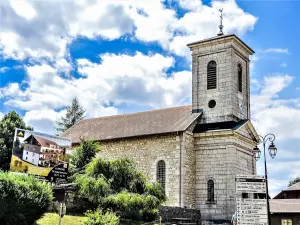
x,y
151,122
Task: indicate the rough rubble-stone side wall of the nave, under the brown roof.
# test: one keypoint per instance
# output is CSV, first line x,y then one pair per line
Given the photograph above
x,y
146,152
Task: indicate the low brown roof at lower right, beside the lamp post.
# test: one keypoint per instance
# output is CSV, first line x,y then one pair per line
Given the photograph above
x,y
285,205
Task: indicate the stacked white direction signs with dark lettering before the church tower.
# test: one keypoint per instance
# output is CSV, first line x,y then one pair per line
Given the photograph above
x,y
251,210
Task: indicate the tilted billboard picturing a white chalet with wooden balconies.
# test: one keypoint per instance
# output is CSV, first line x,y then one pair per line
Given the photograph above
x,y
41,155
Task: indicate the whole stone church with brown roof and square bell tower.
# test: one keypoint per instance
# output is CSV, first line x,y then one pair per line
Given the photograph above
x,y
194,151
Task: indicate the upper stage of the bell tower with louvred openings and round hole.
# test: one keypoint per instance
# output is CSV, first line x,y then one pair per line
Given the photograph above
x,y
220,79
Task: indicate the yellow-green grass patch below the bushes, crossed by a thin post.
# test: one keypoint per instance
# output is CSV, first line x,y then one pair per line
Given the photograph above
x,y
52,219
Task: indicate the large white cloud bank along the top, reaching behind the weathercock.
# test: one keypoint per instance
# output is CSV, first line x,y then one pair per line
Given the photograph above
x,y
149,21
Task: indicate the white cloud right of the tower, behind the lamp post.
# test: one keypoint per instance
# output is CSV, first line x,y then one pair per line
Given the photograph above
x,y
273,114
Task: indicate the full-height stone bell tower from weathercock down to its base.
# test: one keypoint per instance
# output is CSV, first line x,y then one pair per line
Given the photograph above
x,y
224,136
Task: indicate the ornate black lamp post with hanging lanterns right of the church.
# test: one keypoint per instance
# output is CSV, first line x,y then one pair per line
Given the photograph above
x,y
272,151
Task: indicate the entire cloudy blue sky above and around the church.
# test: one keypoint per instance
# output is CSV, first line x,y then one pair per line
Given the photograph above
x,y
127,56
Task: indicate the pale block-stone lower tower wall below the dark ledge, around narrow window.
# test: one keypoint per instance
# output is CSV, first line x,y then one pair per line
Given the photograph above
x,y
220,155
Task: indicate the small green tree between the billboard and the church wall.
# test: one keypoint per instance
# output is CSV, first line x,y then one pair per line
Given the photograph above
x,y
83,154
